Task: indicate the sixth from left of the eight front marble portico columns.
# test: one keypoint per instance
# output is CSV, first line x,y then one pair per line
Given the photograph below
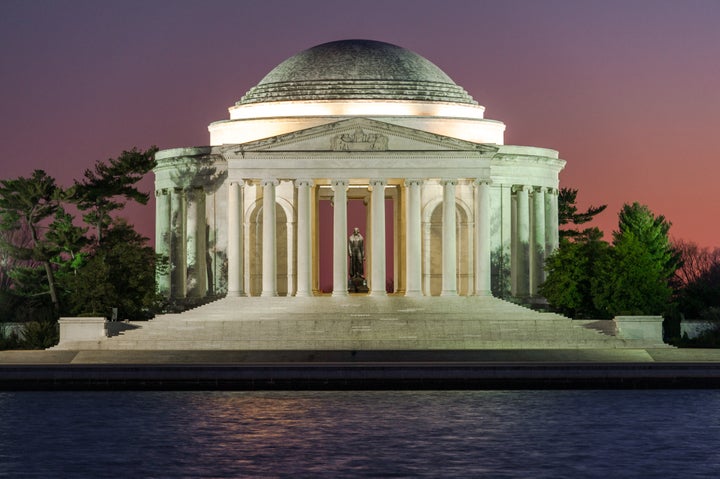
x,y
413,240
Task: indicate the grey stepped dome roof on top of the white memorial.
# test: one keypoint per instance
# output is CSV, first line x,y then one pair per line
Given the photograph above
x,y
356,70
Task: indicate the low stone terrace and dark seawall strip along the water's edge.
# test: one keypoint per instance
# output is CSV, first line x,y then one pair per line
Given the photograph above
x,y
343,370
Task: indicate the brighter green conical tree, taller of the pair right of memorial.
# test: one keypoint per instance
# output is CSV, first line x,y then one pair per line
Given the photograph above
x,y
635,277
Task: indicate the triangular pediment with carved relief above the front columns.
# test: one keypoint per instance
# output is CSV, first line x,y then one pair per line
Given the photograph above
x,y
359,135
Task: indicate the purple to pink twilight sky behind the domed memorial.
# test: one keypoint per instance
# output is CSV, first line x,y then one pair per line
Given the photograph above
x,y
627,91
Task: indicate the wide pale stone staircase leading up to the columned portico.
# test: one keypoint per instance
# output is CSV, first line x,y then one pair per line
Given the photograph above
x,y
360,322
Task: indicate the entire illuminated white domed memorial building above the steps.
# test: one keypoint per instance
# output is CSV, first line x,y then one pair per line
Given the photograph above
x,y
351,120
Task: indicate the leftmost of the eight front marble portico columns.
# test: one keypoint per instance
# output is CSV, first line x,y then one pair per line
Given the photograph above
x,y
235,239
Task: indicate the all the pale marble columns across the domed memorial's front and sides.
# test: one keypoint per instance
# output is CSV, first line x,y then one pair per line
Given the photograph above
x,y
181,234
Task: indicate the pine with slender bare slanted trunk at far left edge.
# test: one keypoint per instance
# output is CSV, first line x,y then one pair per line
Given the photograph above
x,y
27,203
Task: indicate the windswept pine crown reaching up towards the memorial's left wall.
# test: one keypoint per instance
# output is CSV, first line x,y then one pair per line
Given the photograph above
x,y
110,185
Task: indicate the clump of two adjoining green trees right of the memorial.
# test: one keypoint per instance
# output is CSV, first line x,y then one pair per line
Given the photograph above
x,y
591,279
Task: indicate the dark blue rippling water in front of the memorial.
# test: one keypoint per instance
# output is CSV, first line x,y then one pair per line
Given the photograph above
x,y
361,434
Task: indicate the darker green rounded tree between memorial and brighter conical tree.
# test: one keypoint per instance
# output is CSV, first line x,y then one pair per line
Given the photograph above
x,y
571,269
